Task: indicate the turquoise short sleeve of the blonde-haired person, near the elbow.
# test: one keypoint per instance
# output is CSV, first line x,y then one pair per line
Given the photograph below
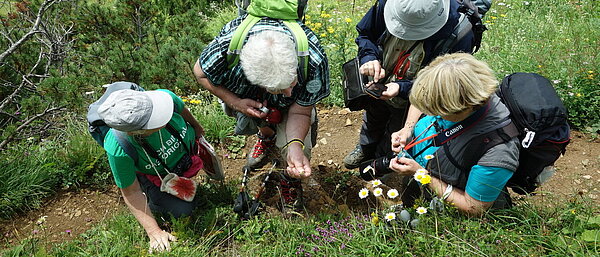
x,y
485,183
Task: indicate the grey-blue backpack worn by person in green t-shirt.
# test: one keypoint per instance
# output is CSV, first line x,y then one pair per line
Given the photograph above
x,y
98,129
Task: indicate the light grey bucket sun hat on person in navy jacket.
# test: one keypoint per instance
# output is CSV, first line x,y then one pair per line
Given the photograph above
x,y
415,19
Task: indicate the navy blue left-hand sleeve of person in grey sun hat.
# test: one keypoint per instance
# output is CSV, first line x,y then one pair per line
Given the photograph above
x,y
370,28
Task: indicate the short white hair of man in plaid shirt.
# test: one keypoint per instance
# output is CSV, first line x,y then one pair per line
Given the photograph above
x,y
269,59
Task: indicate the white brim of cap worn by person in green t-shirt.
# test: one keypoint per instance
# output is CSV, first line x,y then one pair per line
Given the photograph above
x,y
162,109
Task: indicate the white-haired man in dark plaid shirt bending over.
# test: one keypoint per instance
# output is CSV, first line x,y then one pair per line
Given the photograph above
x,y
269,95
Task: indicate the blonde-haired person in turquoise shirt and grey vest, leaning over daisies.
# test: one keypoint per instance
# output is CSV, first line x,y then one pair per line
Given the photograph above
x,y
456,92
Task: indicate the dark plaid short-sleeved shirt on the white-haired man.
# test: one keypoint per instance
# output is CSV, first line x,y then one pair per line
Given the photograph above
x,y
213,61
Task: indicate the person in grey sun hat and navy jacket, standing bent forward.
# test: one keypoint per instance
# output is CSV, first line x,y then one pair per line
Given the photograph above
x,y
396,39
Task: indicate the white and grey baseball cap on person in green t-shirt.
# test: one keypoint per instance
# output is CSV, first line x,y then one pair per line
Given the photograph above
x,y
129,110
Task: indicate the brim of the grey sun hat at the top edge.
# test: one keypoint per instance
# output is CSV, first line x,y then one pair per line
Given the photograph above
x,y
416,31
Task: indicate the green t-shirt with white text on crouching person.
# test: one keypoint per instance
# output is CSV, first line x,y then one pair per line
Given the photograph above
x,y
169,149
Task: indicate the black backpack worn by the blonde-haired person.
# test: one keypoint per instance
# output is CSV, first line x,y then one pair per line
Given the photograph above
x,y
539,120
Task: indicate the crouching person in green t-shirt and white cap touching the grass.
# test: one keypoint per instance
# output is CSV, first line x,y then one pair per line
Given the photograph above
x,y
162,131
